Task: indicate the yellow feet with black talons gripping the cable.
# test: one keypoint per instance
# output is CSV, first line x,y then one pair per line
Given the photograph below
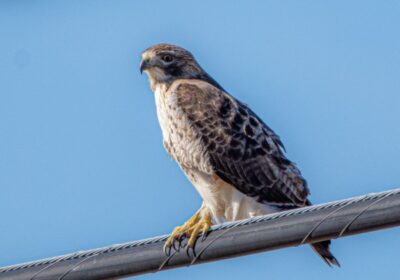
x,y
198,224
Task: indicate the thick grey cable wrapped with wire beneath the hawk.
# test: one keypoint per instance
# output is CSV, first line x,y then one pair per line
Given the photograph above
x,y
290,228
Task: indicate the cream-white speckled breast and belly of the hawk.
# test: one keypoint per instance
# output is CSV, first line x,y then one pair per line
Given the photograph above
x,y
223,200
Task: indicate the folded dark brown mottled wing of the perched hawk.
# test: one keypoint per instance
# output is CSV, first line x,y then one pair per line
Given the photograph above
x,y
242,149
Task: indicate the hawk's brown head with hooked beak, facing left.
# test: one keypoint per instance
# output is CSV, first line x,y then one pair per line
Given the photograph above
x,y
165,63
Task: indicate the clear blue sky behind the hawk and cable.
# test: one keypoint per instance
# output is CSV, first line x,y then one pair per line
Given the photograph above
x,y
81,157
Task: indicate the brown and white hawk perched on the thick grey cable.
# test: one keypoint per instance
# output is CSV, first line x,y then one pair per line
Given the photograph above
x,y
232,158
